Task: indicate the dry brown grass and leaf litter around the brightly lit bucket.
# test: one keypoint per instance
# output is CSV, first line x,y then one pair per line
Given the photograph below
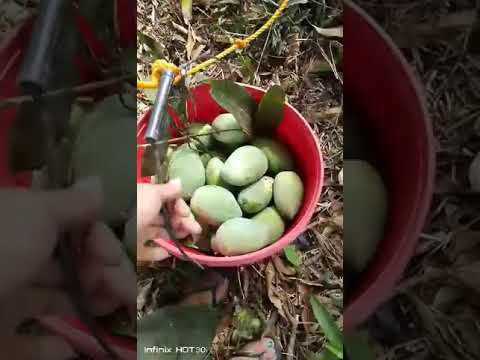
x,y
293,55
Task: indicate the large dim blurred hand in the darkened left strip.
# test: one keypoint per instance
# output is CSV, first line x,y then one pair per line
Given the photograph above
x,y
32,282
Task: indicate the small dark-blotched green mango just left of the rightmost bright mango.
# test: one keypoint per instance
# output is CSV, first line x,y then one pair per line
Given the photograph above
x,y
257,196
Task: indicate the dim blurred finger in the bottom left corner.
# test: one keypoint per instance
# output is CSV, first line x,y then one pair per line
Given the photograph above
x,y
36,347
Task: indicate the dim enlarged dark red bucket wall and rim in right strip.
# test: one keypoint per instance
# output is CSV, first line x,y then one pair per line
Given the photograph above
x,y
379,82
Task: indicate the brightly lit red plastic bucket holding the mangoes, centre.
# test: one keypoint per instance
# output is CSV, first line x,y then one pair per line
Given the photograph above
x,y
293,131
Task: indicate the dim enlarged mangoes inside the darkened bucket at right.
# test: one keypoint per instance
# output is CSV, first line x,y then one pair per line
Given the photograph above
x,y
365,198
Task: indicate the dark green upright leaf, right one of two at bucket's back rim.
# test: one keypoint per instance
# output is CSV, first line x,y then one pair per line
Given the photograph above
x,y
270,111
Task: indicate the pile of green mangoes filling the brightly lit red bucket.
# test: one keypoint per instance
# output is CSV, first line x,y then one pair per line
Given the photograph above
x,y
242,190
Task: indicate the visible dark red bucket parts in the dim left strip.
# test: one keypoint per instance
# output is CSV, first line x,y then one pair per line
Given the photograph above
x,y
12,51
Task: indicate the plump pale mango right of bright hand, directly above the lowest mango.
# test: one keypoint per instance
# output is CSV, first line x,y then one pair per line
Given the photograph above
x,y
213,205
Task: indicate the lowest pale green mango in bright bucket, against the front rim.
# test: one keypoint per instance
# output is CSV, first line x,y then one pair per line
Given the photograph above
x,y
240,236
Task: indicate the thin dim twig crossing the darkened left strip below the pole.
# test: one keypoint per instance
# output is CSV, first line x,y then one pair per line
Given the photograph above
x,y
59,92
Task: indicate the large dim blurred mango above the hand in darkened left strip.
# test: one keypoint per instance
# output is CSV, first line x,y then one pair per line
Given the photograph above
x,y
104,146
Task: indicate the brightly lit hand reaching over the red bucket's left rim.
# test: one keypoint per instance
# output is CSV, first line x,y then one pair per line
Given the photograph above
x,y
150,225
